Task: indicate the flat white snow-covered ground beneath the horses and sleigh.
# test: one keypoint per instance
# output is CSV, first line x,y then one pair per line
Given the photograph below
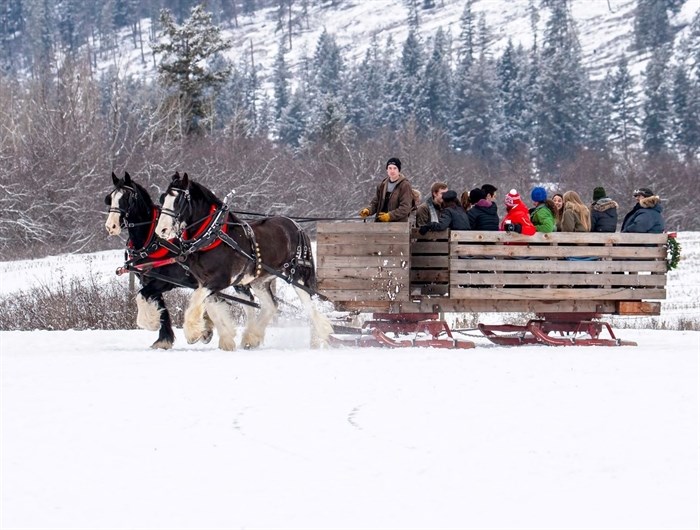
x,y
101,432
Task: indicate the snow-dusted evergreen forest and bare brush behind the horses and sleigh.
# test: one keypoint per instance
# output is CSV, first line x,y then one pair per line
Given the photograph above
x,y
310,138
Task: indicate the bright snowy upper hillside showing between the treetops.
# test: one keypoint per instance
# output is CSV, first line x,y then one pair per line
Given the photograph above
x,y
604,30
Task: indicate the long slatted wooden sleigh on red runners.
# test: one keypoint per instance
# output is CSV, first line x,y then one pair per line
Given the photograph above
x,y
568,280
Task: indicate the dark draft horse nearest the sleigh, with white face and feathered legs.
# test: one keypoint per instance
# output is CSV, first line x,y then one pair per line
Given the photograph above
x,y
222,250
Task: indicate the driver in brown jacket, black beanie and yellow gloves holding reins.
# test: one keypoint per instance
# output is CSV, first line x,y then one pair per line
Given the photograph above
x,y
394,198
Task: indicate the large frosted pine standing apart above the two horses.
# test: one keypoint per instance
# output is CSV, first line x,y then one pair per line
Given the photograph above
x,y
188,64
